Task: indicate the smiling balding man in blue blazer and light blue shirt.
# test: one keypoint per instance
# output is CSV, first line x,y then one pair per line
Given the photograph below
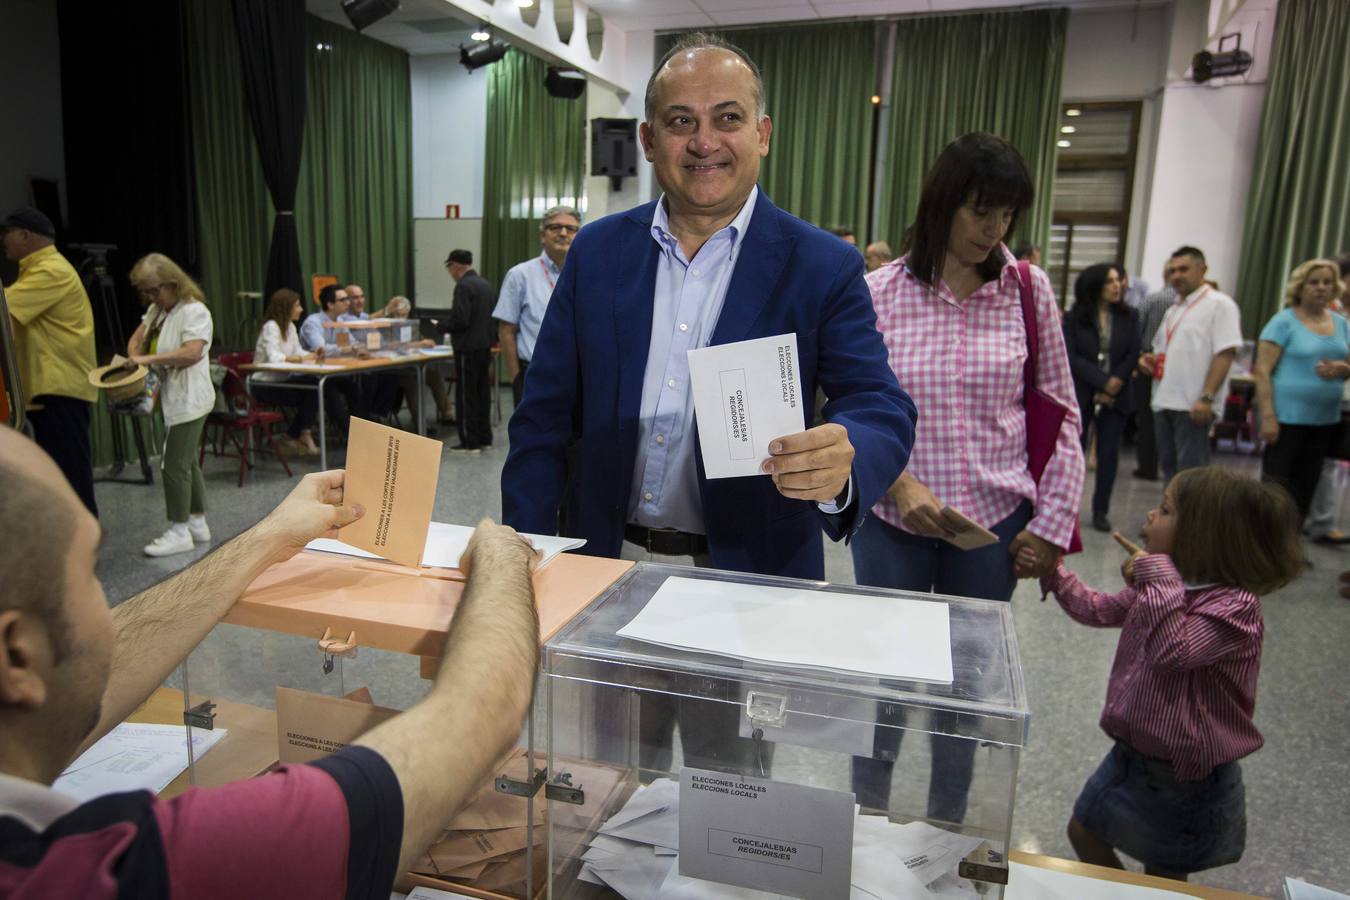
x,y
712,262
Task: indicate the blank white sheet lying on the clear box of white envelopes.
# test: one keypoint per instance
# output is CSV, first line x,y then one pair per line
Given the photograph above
x,y
885,636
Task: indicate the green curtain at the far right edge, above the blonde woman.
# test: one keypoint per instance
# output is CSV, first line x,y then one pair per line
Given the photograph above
x,y
1299,206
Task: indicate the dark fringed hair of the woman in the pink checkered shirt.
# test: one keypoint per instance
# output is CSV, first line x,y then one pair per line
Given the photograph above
x,y
979,169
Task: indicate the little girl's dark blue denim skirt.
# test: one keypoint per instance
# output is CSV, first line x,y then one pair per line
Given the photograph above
x,y
1137,805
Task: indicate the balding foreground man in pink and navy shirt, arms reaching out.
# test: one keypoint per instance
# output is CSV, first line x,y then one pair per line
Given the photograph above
x,y
344,826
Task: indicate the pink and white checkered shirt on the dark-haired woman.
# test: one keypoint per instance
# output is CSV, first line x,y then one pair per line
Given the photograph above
x,y
962,362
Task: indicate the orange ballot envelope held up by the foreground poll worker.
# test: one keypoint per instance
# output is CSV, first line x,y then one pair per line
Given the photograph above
x,y
394,476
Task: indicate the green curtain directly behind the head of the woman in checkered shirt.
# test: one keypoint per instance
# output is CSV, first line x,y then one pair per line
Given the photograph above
x,y
996,72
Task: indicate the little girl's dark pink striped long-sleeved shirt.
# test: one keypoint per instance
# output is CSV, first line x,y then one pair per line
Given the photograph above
x,y
1185,681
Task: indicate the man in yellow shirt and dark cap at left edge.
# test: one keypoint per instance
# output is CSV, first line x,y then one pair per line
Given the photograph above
x,y
53,331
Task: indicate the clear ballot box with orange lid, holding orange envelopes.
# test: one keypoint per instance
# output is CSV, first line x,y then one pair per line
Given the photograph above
x,y
326,647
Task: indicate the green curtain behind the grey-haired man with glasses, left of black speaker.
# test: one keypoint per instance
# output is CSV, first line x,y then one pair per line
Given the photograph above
x,y
535,160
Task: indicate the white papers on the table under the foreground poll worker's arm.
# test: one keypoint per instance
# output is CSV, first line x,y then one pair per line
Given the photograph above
x,y
134,758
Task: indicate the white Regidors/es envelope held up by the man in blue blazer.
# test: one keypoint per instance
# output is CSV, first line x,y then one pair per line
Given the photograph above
x,y
746,395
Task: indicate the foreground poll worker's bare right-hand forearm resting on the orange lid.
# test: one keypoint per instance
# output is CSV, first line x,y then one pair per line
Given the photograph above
x,y
442,750
